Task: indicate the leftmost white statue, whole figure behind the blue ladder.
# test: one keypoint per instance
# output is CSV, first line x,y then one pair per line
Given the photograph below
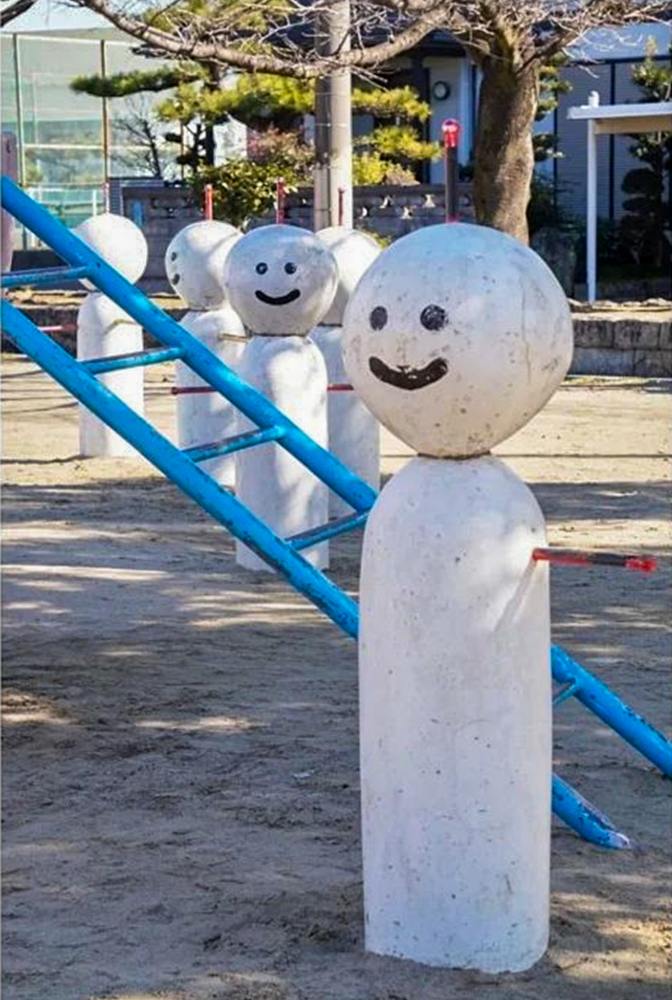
x,y
104,329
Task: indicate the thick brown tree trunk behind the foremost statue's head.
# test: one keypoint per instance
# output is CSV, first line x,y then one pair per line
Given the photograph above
x,y
503,153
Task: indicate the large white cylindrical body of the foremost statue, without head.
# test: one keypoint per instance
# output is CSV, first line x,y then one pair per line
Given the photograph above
x,y
455,718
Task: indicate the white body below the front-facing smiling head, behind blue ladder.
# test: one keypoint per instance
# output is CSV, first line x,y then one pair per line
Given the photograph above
x,y
290,371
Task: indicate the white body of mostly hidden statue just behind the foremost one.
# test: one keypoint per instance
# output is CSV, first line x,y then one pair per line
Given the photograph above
x,y
354,434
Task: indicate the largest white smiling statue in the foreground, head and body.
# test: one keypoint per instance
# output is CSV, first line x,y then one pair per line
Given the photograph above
x,y
455,337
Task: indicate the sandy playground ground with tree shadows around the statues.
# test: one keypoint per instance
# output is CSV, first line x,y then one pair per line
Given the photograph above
x,y
180,768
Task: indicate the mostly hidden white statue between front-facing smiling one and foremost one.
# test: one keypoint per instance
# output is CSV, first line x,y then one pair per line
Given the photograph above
x,y
354,434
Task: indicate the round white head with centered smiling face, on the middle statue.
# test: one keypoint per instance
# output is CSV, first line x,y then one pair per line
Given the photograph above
x,y
280,280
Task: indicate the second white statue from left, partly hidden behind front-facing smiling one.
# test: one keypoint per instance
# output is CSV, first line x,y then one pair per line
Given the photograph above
x,y
195,267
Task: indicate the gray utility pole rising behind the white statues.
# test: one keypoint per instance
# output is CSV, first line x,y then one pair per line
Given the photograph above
x,y
333,124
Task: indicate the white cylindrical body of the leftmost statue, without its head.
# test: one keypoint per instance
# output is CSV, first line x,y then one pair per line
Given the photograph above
x,y
104,329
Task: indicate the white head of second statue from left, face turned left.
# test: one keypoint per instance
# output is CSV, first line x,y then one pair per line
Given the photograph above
x,y
195,262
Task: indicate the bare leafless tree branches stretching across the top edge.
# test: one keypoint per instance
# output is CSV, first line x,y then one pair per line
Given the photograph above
x,y
281,36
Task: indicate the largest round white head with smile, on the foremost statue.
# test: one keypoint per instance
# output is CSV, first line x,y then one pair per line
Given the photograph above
x,y
455,337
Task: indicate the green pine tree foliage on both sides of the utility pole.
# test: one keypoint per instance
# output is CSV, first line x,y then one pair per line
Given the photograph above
x,y
273,108
